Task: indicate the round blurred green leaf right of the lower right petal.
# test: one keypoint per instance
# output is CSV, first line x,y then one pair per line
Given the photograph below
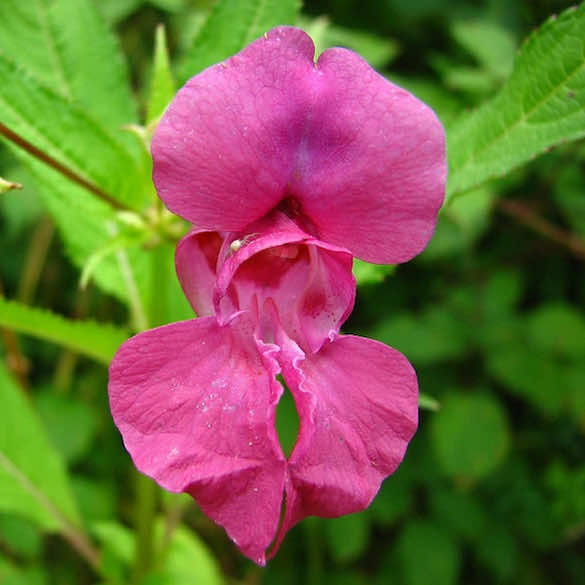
x,y
470,435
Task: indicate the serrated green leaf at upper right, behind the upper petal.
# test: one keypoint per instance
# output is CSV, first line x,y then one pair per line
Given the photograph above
x,y
542,104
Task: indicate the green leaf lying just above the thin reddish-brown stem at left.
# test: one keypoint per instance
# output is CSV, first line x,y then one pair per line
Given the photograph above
x,y
61,130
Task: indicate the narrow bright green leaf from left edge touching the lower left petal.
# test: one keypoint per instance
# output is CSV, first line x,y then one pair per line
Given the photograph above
x,y
88,338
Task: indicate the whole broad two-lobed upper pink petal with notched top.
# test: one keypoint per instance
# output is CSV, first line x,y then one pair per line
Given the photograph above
x,y
361,160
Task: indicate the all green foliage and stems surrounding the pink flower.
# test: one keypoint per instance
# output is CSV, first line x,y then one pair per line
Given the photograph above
x,y
492,490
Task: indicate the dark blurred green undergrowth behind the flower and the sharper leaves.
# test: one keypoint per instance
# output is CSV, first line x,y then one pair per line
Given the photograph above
x,y
492,490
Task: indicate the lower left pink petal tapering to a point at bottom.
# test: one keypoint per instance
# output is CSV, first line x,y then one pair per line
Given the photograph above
x,y
195,404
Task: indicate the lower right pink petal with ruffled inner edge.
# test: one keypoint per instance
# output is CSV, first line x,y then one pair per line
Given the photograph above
x,y
358,409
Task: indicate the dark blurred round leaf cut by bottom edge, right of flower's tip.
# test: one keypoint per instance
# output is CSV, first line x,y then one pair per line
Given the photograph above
x,y
427,554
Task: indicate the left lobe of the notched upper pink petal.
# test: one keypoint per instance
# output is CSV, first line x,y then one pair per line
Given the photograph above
x,y
225,148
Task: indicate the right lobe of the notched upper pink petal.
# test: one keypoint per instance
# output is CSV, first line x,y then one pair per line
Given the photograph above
x,y
372,167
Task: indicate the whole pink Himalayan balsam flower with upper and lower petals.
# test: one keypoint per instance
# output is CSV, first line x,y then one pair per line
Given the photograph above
x,y
287,168
